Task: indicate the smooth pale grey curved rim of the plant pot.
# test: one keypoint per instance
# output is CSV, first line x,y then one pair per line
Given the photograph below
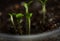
x,y
41,35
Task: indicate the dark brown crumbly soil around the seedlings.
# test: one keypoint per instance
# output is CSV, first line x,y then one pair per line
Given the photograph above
x,y
52,20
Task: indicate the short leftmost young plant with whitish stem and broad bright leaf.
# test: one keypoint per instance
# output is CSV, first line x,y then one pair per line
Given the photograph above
x,y
18,18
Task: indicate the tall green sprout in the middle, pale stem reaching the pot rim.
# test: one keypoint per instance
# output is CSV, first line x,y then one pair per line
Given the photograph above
x,y
28,16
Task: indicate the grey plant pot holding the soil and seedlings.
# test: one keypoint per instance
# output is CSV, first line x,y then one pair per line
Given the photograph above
x,y
46,36
